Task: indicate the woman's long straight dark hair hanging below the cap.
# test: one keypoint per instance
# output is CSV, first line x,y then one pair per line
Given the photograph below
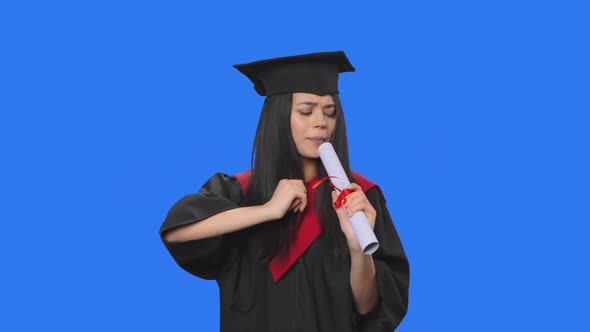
x,y
275,157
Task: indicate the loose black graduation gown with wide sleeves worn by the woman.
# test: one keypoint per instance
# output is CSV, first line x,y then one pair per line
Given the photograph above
x,y
313,296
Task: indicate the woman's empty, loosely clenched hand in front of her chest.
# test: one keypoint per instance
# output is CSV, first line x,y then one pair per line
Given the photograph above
x,y
290,194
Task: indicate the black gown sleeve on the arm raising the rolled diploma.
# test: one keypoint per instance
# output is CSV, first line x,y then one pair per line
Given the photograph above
x,y
392,272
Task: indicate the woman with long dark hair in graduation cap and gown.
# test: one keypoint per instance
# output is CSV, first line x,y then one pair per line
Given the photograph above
x,y
284,257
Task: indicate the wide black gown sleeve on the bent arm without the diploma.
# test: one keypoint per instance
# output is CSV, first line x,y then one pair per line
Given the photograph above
x,y
204,257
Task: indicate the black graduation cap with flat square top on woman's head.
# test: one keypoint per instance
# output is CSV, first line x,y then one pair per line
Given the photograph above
x,y
315,73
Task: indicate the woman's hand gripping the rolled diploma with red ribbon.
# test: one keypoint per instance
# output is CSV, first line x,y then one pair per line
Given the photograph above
x,y
355,202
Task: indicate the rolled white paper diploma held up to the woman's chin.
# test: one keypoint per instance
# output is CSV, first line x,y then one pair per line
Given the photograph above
x,y
360,224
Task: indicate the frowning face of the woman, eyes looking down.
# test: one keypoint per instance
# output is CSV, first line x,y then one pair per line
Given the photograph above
x,y
313,119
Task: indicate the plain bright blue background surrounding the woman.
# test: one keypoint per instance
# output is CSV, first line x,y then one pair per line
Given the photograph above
x,y
471,115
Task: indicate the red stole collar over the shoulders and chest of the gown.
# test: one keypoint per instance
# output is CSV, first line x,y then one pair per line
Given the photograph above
x,y
308,229
